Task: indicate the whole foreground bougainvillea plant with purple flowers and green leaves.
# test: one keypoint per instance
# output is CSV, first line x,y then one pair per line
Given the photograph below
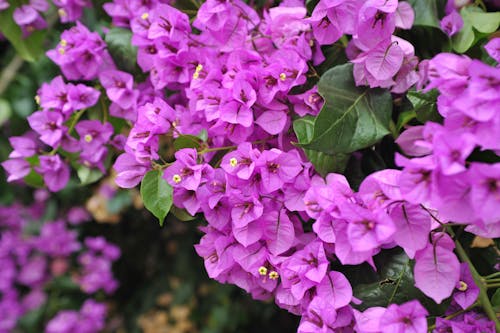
x,y
340,155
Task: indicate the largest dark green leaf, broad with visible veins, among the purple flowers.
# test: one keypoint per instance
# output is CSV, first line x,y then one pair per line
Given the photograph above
x,y
352,117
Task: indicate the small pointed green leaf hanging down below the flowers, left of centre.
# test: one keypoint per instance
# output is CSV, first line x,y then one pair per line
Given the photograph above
x,y
156,194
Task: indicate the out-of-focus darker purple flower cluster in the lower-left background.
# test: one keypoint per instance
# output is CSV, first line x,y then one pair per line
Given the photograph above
x,y
31,262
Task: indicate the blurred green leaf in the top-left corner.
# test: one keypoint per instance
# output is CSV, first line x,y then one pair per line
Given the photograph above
x,y
29,48
